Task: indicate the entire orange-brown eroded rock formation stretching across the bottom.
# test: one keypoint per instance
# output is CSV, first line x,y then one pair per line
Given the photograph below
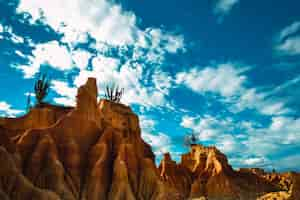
x,y
95,151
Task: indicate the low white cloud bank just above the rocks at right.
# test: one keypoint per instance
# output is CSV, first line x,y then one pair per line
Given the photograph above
x,y
248,144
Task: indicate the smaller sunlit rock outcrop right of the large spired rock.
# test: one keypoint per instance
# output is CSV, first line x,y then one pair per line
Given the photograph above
x,y
211,177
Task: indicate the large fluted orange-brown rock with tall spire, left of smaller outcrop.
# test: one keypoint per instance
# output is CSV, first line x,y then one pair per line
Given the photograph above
x,y
92,151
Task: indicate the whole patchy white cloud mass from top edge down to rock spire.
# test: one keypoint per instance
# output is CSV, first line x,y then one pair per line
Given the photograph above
x,y
110,26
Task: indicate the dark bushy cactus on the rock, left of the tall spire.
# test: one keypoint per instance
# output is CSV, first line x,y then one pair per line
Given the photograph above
x,y
41,89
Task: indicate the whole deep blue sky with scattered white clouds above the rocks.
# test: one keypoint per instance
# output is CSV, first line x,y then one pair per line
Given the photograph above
x,y
227,70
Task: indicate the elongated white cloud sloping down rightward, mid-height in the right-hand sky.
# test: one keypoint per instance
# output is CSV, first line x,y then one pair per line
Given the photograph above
x,y
229,81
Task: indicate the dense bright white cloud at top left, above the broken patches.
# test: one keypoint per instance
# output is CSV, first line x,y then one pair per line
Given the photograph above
x,y
104,20
